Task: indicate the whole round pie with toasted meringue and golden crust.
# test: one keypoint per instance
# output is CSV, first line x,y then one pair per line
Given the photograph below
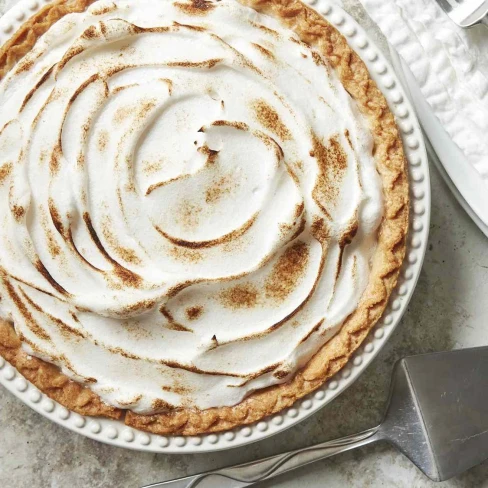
x,y
205,207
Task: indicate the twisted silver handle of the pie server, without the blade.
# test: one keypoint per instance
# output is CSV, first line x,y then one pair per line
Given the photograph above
x,y
249,473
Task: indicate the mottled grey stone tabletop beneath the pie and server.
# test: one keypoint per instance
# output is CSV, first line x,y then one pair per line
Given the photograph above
x,y
449,310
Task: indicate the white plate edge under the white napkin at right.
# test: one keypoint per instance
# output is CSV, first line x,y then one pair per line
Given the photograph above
x,y
463,180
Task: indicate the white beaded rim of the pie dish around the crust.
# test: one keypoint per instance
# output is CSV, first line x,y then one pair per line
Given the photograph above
x,y
116,433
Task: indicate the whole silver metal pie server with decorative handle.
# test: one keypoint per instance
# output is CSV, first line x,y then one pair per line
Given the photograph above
x,y
437,416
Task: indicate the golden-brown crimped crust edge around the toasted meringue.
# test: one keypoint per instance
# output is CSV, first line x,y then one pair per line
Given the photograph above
x,y
391,165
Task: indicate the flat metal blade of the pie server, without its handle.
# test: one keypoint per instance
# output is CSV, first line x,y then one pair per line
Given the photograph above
x,y
444,429
